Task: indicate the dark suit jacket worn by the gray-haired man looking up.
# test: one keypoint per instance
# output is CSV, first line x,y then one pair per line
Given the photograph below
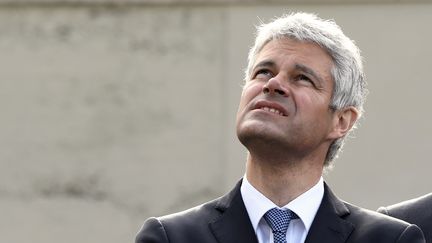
x,y
225,220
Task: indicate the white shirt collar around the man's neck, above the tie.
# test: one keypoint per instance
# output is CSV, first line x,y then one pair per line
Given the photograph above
x,y
305,206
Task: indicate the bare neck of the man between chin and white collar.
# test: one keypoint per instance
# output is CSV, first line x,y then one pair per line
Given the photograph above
x,y
282,181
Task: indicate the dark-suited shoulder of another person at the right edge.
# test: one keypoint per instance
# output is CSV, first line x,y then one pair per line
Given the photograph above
x,y
416,211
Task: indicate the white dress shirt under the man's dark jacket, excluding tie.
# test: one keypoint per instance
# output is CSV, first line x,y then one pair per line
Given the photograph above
x,y
305,206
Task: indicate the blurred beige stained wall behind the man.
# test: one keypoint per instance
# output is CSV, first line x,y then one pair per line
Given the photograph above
x,y
111,112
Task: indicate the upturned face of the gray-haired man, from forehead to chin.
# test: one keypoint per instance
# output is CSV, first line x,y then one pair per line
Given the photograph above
x,y
285,105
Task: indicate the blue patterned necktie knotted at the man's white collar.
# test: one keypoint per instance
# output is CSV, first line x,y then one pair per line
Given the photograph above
x,y
279,220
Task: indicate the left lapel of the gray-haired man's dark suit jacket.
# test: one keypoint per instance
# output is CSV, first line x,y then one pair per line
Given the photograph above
x,y
234,225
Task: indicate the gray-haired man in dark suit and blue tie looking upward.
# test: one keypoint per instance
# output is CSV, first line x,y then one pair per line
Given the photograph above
x,y
303,92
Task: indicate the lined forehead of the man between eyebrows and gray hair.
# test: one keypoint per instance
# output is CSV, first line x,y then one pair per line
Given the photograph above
x,y
290,51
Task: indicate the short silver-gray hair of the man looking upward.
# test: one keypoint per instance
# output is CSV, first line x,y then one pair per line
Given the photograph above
x,y
347,72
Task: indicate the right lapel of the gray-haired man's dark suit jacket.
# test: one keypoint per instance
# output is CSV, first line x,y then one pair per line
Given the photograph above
x,y
329,225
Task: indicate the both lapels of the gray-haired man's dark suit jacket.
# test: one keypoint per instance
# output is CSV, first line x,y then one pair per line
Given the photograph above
x,y
234,225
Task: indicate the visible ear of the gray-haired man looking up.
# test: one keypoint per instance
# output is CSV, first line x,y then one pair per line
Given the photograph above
x,y
343,121
